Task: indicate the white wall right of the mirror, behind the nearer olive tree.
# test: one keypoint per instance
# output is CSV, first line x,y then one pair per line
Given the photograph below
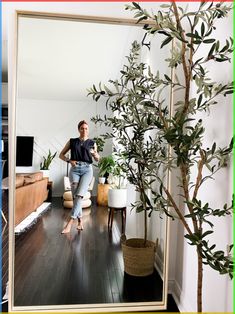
x,y
217,289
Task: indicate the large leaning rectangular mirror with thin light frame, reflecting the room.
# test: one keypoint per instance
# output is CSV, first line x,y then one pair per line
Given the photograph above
x,y
58,58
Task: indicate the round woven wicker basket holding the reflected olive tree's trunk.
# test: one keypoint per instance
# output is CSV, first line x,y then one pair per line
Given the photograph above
x,y
138,259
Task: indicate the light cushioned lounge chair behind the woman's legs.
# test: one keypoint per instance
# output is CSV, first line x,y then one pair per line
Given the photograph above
x,y
68,198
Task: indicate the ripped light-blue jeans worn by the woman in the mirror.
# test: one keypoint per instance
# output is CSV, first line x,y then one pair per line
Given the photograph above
x,y
80,177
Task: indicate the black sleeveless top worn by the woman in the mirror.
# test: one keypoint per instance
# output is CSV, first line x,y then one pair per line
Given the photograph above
x,y
80,150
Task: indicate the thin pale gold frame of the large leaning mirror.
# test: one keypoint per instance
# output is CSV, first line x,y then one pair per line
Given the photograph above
x,y
138,306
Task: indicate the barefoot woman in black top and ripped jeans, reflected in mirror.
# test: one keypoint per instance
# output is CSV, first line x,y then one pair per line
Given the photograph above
x,y
82,149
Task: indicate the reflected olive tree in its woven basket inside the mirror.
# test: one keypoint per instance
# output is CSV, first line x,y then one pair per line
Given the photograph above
x,y
133,123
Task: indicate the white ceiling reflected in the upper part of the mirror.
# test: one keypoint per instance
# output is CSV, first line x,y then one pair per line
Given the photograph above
x,y
61,59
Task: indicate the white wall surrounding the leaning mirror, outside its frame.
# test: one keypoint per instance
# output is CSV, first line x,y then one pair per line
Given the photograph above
x,y
217,289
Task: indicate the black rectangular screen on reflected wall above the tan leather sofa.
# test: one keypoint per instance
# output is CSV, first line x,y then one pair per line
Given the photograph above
x,y
24,151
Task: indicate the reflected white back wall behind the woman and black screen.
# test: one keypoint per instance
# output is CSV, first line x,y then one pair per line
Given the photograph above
x,y
52,123
